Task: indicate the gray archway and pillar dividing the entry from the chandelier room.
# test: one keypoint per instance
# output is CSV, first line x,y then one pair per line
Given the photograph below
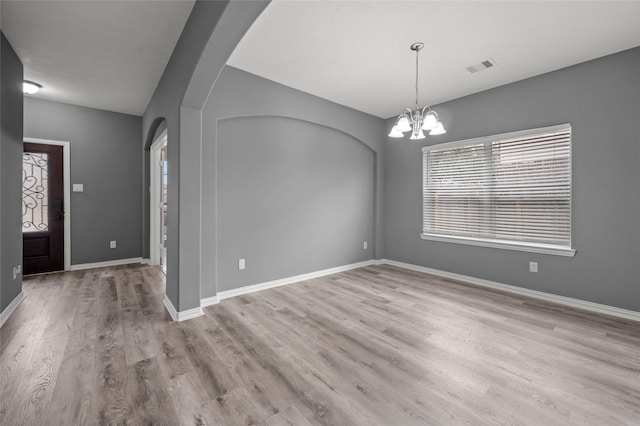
x,y
210,35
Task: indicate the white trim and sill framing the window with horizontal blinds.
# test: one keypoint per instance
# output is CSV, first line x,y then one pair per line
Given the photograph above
x,y
494,243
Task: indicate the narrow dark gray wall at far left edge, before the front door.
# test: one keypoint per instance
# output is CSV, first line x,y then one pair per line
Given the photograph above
x,y
10,172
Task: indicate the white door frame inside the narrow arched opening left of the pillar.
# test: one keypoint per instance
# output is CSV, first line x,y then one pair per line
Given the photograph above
x,y
155,214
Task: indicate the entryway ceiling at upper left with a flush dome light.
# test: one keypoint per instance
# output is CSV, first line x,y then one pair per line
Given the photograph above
x,y
101,54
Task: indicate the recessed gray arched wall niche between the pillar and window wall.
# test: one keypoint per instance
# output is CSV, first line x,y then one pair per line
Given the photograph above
x,y
294,197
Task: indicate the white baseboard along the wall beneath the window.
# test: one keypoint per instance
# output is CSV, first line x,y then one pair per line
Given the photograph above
x,y
562,300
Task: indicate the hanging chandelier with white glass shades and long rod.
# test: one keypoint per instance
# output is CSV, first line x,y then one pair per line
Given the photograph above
x,y
417,120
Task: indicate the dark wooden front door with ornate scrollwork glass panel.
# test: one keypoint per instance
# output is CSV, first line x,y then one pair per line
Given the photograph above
x,y
42,208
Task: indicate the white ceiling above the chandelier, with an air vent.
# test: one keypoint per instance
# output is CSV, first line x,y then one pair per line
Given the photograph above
x,y
356,53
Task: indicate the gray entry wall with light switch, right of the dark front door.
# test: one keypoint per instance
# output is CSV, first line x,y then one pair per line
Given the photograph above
x,y
105,157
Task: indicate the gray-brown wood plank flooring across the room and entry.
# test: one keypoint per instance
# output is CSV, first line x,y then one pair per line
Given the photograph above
x,y
373,346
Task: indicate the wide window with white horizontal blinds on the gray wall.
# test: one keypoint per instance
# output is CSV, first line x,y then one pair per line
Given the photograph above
x,y
508,191
